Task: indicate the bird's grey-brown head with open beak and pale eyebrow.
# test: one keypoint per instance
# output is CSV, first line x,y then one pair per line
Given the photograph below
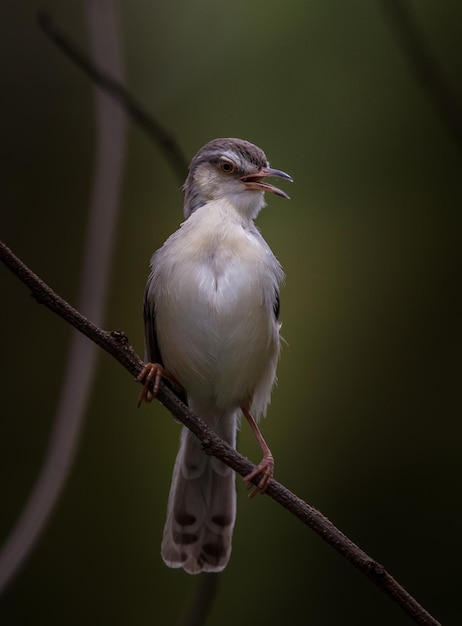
x,y
232,170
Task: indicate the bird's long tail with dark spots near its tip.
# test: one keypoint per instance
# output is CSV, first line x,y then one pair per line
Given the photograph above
x,y
201,506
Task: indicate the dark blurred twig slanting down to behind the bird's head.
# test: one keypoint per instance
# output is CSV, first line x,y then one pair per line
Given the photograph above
x,y
155,131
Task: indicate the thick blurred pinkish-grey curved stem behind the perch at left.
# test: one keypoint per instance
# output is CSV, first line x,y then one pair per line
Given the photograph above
x,y
98,253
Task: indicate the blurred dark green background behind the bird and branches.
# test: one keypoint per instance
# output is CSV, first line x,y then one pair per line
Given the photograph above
x,y
365,423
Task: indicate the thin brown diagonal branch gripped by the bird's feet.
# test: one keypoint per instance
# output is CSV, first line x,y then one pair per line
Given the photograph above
x,y
115,344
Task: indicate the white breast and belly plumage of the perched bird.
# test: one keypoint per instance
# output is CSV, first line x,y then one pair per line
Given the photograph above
x,y
213,285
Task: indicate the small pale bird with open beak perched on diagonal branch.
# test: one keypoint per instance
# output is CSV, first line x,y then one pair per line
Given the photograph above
x,y
211,313
